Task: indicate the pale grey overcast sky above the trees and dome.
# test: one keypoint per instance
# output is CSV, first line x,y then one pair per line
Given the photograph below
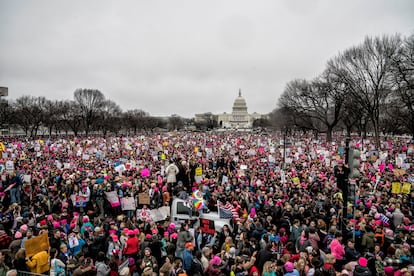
x,y
182,56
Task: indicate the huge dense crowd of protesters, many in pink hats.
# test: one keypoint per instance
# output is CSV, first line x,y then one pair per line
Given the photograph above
x,y
287,203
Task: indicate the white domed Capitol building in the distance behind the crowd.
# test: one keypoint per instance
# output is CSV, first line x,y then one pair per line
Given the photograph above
x,y
239,118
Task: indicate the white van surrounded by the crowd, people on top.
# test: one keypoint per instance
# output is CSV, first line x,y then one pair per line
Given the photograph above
x,y
180,213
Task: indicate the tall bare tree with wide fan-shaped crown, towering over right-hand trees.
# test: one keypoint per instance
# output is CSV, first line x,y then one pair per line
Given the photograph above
x,y
365,71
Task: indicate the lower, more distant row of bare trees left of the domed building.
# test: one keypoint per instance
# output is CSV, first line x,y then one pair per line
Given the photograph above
x,y
89,112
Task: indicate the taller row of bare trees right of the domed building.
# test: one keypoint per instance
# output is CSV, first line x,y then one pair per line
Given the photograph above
x,y
366,87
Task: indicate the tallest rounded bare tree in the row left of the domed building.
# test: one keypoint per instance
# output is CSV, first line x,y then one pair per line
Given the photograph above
x,y
90,101
